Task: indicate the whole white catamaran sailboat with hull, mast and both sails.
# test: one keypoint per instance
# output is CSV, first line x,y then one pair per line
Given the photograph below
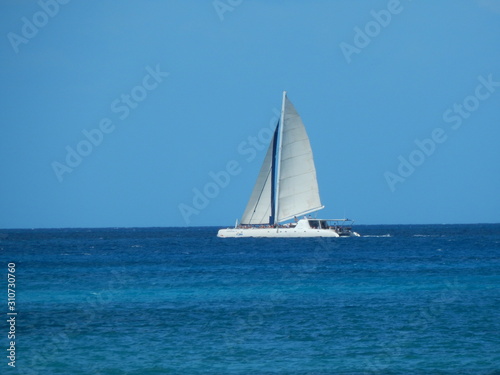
x,y
286,191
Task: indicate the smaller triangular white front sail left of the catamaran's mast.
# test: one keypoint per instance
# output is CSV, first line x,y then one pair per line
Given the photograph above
x,y
259,207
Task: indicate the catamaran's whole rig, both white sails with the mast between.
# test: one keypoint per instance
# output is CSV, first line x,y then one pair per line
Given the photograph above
x,y
287,184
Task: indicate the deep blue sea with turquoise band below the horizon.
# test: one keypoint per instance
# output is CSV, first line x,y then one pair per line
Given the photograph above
x,y
421,299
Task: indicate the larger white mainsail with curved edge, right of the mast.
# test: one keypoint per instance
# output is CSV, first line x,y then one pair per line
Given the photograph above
x,y
298,192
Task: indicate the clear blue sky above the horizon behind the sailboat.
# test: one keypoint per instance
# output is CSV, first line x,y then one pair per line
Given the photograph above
x,y
371,79
